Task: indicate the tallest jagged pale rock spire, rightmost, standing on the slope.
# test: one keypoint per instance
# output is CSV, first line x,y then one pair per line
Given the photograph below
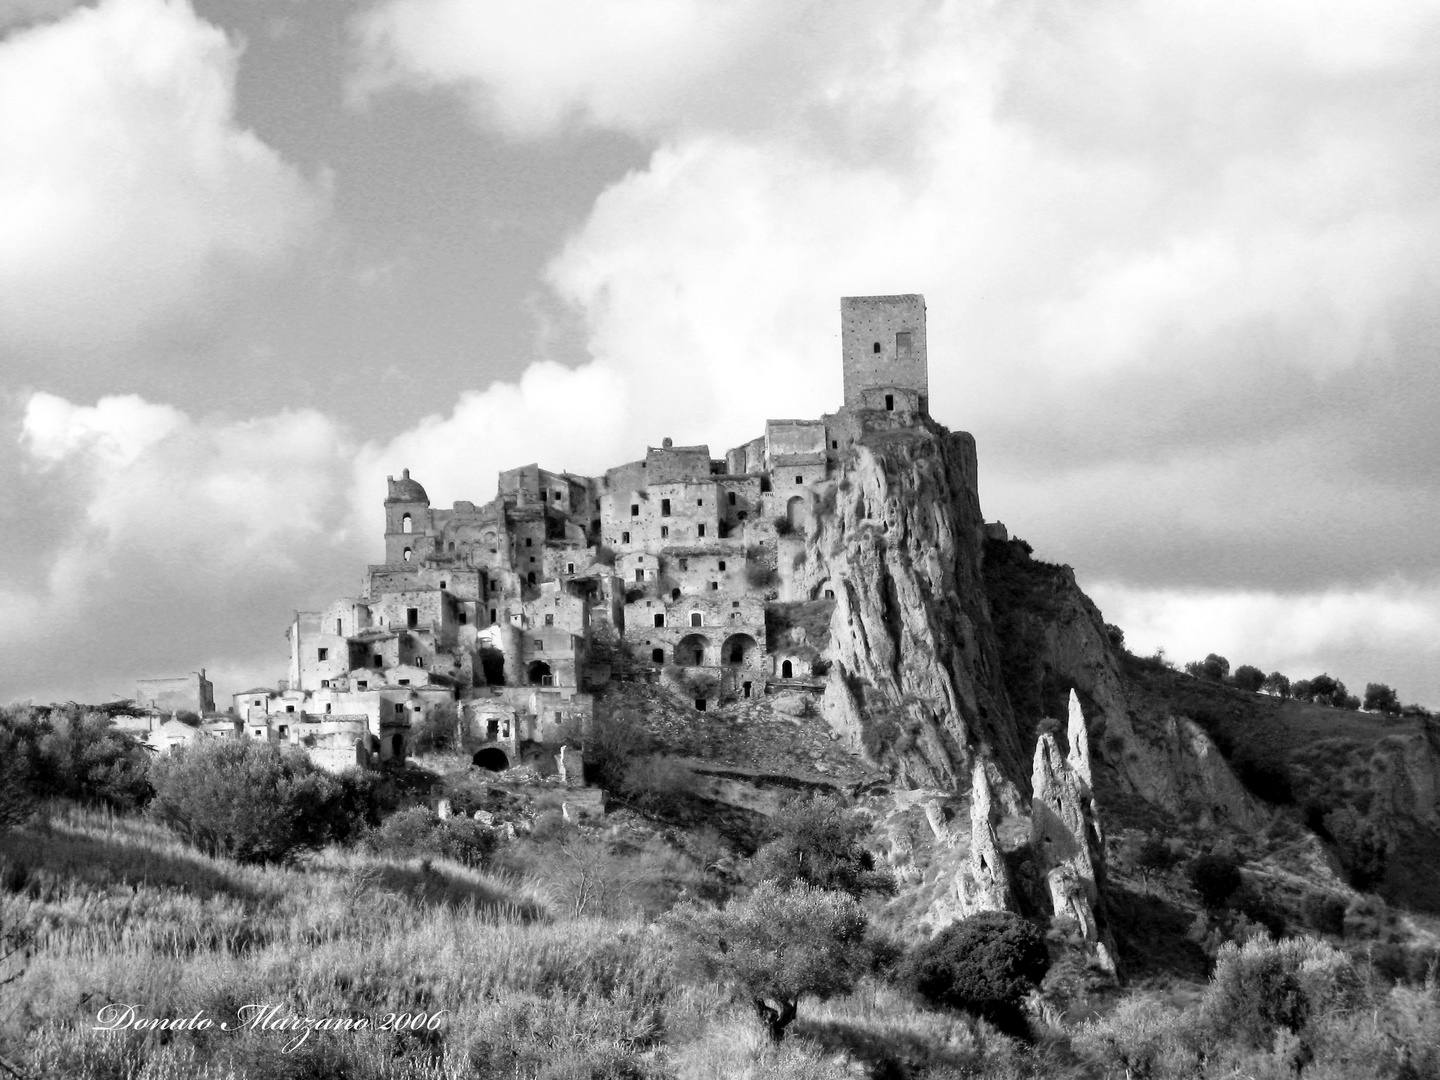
x,y
1066,833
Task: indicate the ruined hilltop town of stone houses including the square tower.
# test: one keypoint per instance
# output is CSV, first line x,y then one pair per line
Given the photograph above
x,y
510,611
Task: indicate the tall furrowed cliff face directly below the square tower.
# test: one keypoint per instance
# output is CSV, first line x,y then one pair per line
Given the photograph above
x,y
915,678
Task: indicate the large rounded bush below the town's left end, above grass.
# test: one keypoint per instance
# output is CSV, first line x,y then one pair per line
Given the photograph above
x,y
247,800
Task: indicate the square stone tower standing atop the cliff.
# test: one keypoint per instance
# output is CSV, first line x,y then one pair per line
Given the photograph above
x,y
883,352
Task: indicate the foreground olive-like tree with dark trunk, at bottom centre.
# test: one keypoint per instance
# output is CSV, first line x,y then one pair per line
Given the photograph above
x,y
774,948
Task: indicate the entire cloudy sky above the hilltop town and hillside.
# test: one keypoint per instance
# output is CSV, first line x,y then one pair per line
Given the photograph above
x,y
256,256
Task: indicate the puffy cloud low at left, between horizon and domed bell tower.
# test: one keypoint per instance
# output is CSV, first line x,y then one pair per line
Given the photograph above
x,y
169,541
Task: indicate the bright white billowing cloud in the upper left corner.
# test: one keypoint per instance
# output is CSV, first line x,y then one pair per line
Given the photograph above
x,y
126,184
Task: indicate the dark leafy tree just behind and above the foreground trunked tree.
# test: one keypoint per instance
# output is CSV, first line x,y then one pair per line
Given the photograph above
x,y
820,845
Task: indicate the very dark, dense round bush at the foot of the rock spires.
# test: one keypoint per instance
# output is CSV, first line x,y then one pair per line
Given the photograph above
x,y
984,966
